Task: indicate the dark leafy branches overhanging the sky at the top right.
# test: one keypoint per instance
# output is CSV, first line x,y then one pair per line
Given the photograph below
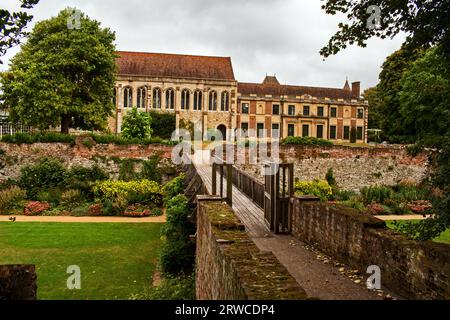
x,y
425,23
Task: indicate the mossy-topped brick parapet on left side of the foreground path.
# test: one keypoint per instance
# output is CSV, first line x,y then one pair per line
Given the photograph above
x,y
229,266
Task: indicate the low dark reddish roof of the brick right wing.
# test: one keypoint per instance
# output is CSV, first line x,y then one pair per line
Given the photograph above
x,y
276,90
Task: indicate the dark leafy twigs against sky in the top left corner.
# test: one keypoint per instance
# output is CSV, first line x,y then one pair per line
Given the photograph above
x,y
13,24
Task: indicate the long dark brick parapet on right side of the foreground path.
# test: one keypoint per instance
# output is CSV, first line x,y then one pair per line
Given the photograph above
x,y
409,268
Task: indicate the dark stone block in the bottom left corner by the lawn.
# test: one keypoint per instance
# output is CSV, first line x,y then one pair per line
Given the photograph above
x,y
18,282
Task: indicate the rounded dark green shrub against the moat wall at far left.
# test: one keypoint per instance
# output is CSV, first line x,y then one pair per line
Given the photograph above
x,y
46,173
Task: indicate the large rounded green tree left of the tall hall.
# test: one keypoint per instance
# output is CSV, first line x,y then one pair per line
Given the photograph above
x,y
62,76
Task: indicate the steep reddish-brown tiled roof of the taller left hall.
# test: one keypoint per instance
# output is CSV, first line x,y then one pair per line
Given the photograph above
x,y
174,65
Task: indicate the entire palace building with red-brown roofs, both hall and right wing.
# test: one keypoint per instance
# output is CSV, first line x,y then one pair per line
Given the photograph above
x,y
203,90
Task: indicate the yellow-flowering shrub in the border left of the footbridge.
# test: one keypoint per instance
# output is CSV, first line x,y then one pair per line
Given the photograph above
x,y
149,191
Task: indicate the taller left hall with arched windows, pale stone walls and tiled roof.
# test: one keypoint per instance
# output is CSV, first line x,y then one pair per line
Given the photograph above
x,y
203,91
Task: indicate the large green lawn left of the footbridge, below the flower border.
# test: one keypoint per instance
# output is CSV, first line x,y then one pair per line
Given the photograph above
x,y
116,260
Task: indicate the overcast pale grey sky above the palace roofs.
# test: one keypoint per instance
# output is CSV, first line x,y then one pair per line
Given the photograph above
x,y
281,37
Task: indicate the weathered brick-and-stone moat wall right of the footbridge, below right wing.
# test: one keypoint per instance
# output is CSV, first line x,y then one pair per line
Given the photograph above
x,y
353,167
